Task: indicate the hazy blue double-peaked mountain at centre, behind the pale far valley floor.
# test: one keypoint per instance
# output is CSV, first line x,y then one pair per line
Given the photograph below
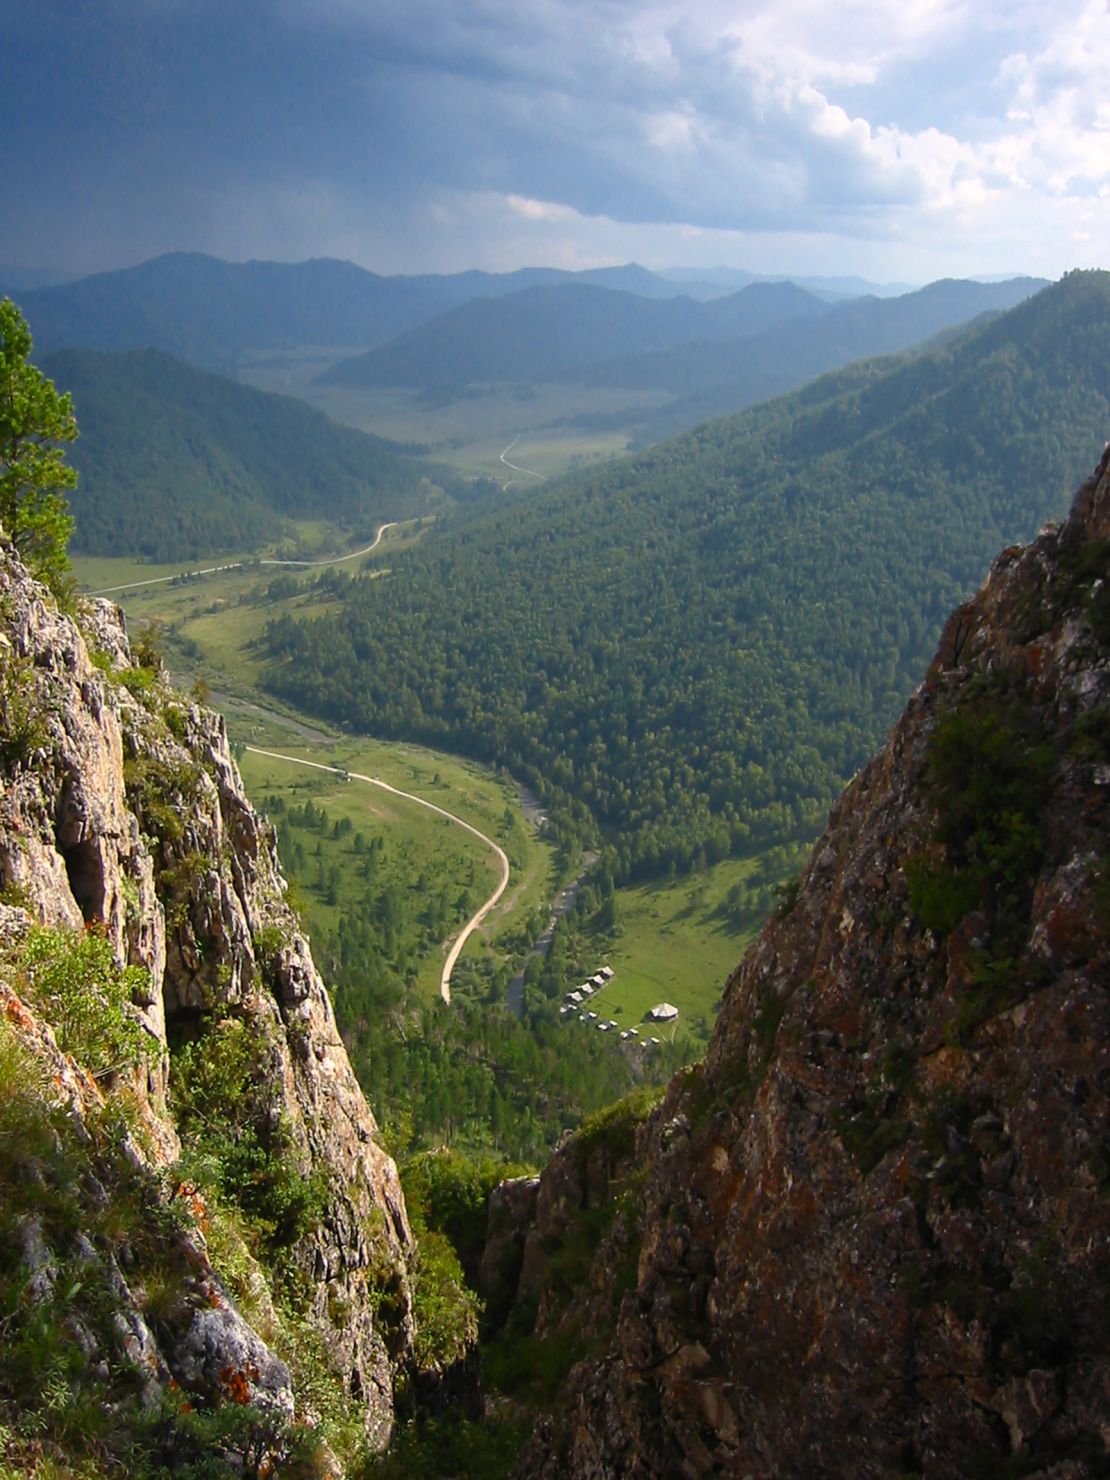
x,y
542,332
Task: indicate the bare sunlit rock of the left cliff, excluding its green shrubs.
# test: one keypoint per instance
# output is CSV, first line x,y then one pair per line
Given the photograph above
x,y
122,810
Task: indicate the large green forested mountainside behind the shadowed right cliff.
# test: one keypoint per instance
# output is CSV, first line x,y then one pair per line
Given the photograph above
x,y
701,645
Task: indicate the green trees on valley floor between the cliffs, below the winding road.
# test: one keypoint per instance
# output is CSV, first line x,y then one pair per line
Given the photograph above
x,y
474,1074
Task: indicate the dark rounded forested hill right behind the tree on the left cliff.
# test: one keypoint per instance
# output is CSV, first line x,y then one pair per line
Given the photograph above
x,y
177,464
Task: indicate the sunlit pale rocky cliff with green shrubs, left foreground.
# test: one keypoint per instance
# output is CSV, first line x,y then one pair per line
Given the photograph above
x,y
193,1194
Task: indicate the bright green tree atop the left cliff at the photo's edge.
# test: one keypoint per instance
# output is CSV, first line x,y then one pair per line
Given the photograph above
x,y
35,477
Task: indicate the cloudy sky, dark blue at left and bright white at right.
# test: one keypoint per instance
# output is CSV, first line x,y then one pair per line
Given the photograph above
x,y
898,140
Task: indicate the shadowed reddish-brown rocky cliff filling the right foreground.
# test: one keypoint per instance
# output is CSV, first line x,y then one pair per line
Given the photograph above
x,y
871,1235
